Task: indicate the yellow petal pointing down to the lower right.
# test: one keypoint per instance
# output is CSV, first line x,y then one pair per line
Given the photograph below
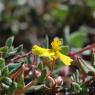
x,y
65,59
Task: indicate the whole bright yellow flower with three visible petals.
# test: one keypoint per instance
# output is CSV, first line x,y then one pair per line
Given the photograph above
x,y
53,53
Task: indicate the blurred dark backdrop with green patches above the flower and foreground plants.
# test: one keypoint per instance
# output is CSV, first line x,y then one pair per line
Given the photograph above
x,y
35,21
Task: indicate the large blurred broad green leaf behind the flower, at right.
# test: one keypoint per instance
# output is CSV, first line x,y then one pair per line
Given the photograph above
x,y
76,39
